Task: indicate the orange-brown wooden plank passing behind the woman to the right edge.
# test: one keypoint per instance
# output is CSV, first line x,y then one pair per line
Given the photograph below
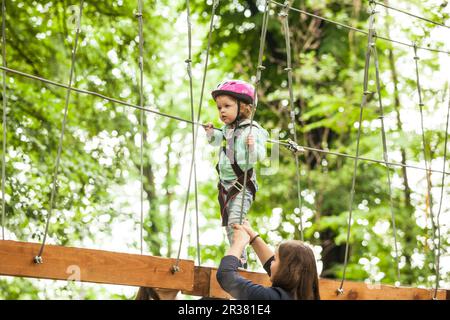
x,y
352,290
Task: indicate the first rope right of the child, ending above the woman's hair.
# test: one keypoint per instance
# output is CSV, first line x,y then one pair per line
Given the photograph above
x,y
285,16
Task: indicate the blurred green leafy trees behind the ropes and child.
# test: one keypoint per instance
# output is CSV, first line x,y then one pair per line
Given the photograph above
x,y
98,202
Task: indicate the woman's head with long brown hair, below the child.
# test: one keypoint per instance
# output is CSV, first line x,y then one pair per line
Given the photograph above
x,y
297,271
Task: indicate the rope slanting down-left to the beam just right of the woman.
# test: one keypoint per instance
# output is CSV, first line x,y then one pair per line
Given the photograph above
x,y
363,104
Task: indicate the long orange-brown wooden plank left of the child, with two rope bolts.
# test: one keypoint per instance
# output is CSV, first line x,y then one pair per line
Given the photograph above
x,y
87,265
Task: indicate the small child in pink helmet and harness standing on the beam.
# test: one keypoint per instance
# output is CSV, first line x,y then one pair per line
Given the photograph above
x,y
234,101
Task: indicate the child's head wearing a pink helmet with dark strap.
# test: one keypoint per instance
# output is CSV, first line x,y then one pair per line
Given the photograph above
x,y
234,99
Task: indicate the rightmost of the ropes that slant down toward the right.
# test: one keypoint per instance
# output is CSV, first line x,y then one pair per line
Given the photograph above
x,y
427,164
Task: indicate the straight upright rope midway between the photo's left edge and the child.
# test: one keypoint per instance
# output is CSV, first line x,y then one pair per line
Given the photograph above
x,y
141,120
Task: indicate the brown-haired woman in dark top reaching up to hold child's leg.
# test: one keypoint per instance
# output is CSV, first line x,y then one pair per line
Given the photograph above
x,y
292,269
